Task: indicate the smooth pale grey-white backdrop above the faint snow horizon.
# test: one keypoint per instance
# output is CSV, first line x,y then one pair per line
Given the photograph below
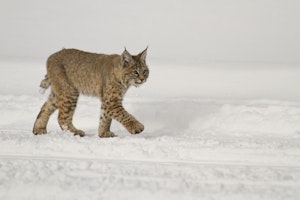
x,y
231,30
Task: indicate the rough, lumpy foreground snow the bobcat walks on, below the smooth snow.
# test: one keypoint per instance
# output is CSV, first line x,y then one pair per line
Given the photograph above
x,y
189,149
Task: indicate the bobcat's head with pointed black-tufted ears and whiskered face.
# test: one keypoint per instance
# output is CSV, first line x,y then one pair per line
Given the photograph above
x,y
134,68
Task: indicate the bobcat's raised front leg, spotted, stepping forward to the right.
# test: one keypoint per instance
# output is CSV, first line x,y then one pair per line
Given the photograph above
x,y
115,110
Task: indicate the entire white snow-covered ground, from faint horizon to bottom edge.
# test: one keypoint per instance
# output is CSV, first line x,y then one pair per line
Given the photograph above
x,y
212,131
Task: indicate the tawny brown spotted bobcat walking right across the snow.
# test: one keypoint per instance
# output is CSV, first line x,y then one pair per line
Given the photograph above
x,y
71,72
